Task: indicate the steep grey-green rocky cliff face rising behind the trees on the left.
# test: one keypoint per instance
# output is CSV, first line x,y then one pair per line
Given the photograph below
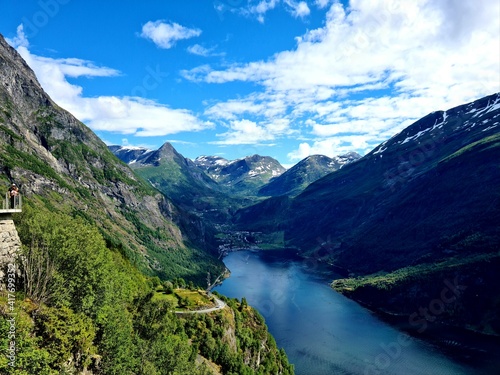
x,y
62,164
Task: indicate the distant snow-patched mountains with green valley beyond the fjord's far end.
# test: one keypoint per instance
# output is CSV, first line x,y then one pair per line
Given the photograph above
x,y
212,189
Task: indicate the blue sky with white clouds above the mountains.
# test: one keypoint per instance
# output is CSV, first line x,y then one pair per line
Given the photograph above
x,y
282,78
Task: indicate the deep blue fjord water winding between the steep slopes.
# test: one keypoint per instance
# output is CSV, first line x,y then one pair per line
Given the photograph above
x,y
323,332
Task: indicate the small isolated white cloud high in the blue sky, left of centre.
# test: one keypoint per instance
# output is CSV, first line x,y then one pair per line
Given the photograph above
x,y
165,35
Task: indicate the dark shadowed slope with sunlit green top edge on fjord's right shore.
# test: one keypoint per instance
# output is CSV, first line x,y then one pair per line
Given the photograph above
x,y
459,291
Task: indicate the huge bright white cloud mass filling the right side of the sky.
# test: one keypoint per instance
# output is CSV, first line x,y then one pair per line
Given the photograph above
x,y
373,68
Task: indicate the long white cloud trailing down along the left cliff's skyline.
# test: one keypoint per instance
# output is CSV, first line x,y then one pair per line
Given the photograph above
x,y
124,115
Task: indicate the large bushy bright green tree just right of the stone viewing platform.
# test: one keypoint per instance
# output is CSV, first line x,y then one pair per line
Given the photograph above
x,y
79,273
